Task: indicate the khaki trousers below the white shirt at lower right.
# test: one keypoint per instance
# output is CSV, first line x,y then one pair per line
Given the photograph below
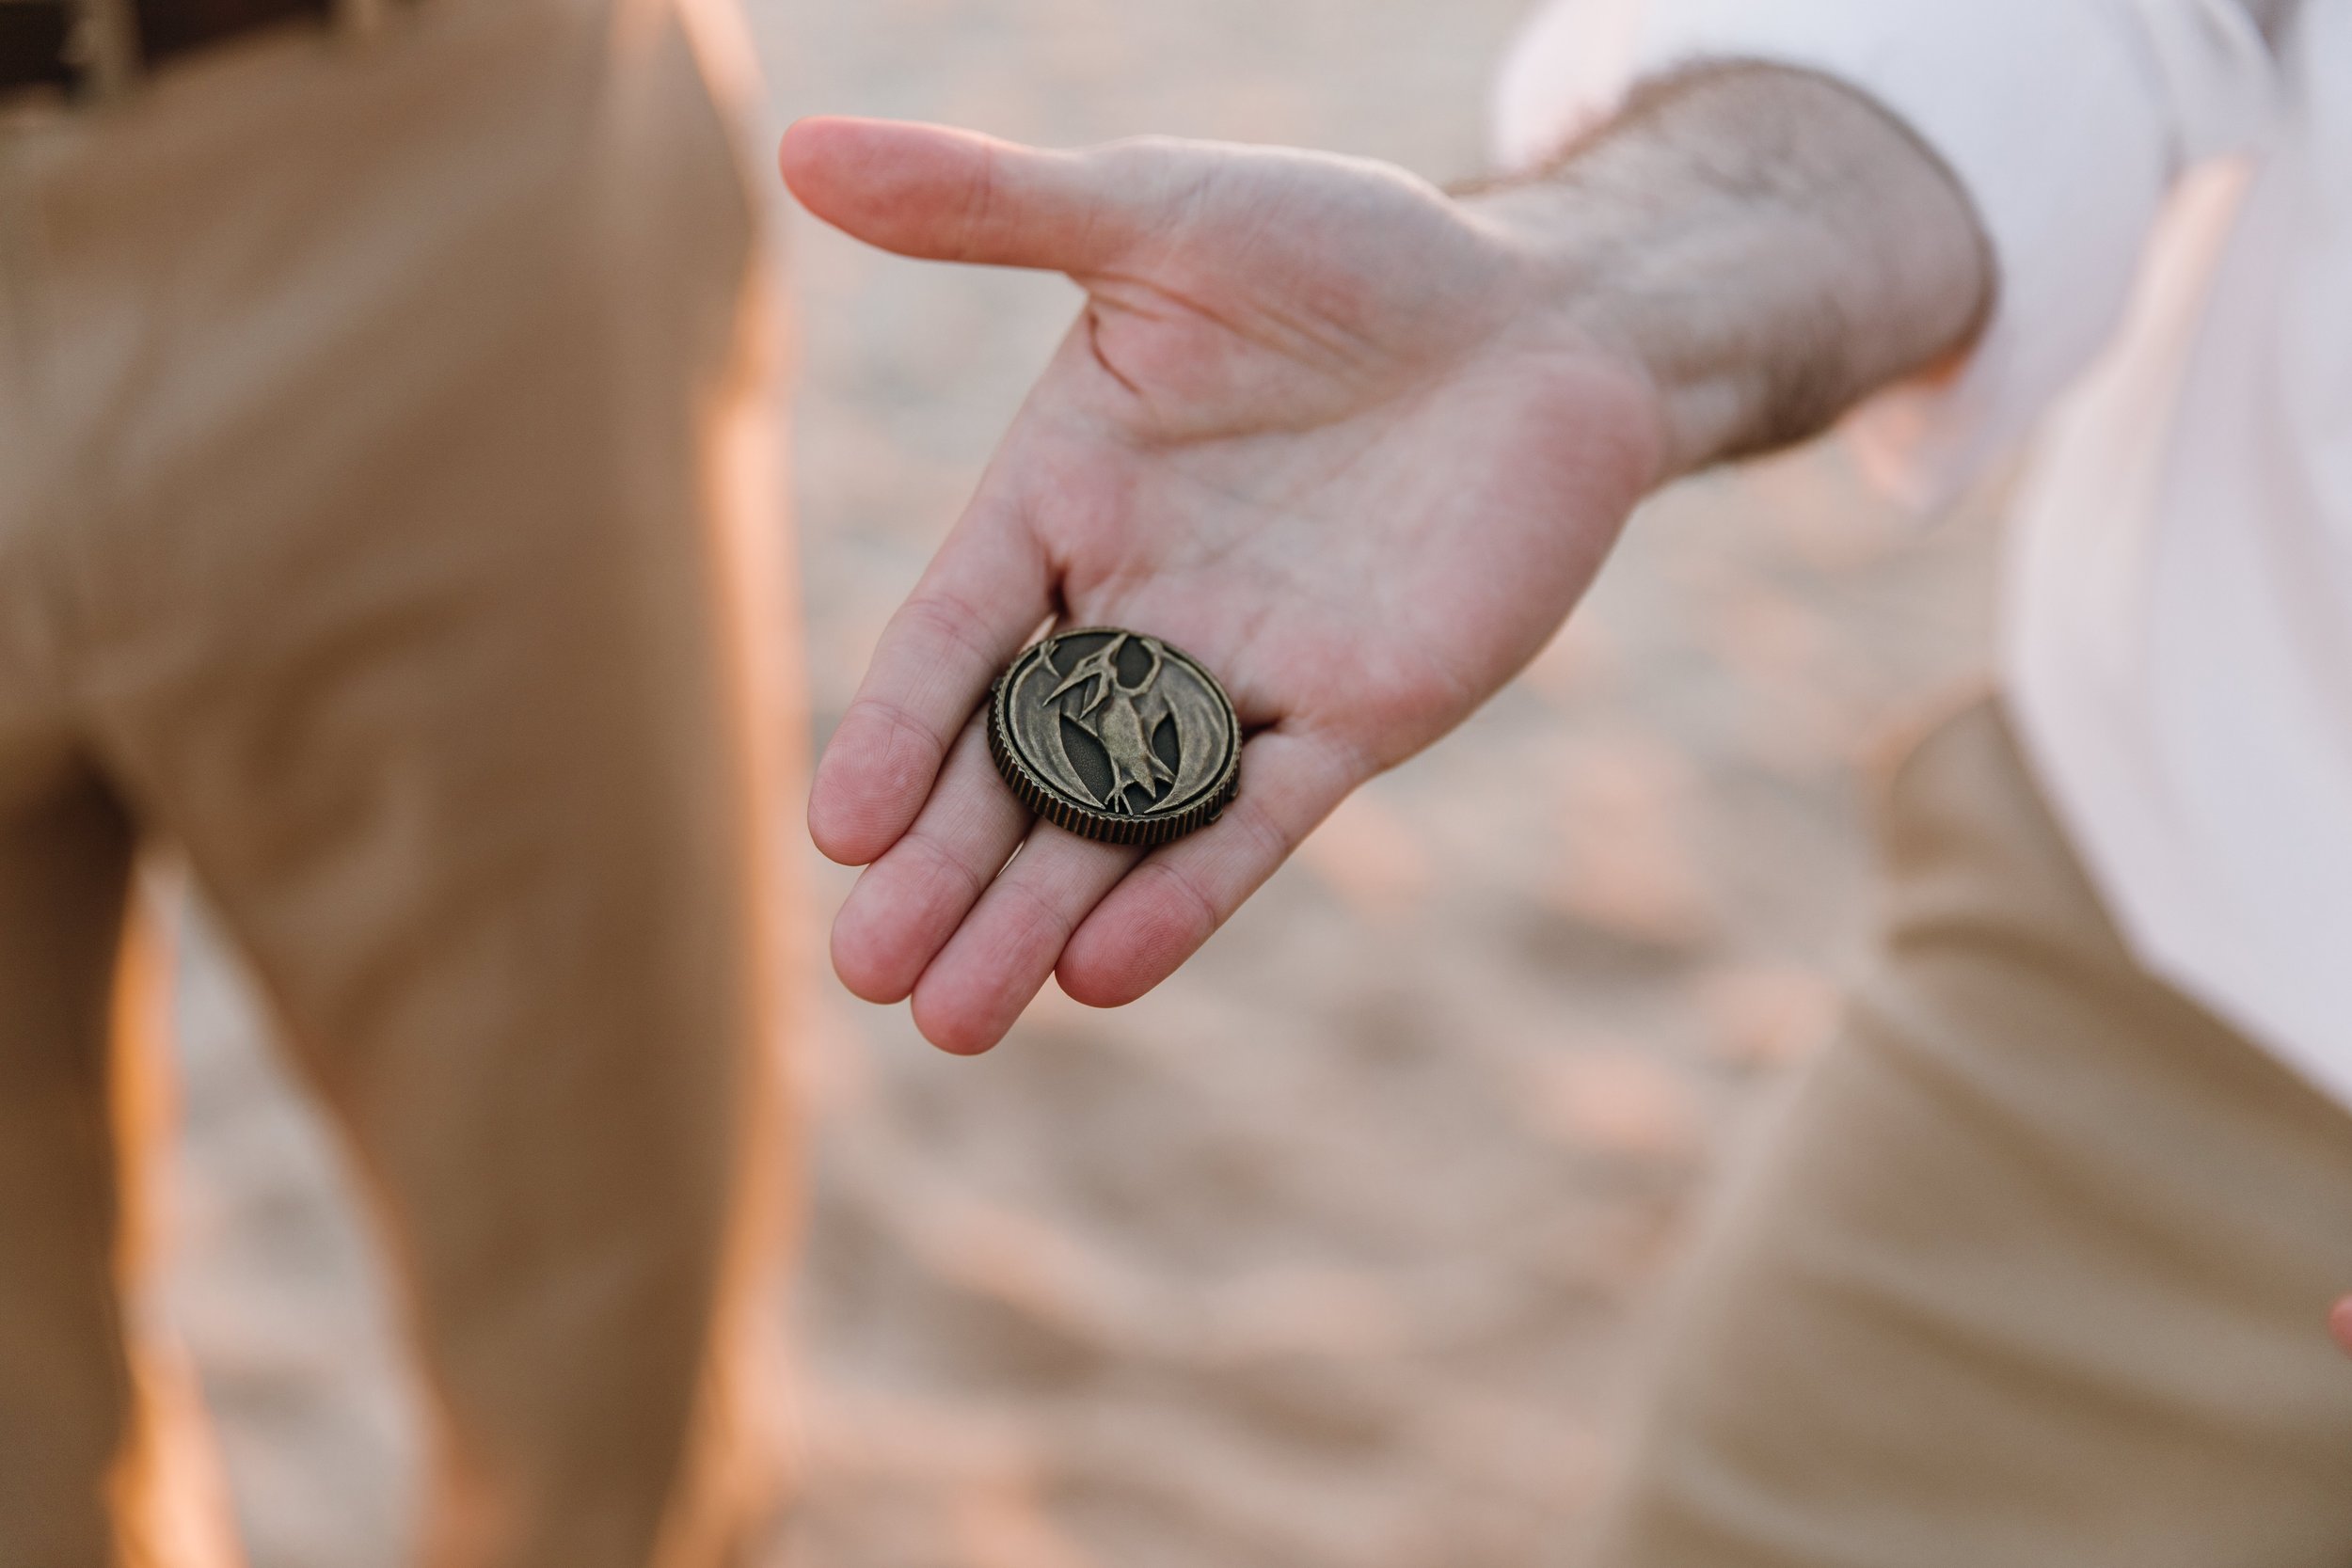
x,y
2036,1273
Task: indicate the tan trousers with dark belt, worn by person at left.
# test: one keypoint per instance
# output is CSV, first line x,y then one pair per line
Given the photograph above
x,y
377,509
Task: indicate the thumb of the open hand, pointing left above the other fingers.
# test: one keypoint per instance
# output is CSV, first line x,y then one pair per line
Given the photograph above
x,y
958,196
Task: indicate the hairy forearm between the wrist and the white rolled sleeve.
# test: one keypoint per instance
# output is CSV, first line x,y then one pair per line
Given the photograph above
x,y
1765,246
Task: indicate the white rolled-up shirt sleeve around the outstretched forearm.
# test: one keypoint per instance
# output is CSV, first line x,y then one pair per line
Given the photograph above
x,y
2066,121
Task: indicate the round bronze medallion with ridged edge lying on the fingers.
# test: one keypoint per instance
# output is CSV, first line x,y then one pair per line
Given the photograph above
x,y
1116,737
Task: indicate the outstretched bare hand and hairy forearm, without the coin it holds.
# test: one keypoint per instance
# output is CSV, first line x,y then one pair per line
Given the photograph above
x,y
1351,443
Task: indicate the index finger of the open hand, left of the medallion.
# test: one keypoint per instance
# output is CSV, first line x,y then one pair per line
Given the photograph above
x,y
982,598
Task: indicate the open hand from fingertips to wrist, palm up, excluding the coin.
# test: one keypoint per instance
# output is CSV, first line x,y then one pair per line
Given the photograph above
x,y
1314,427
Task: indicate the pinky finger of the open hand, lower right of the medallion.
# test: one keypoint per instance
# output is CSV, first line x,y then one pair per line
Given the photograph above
x,y
1175,899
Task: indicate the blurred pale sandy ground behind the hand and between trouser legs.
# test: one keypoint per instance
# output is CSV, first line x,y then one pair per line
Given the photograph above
x,y
1335,1252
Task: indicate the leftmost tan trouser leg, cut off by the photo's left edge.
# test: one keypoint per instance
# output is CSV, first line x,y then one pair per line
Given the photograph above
x,y
105,1459
